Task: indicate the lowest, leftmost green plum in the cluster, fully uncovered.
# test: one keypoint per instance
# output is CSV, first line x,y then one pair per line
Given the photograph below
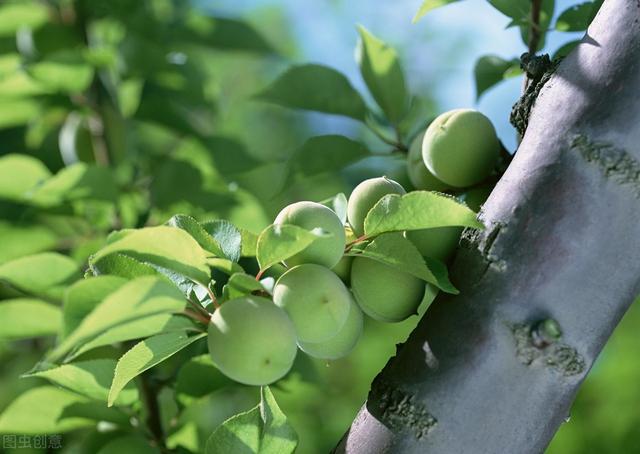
x,y
252,341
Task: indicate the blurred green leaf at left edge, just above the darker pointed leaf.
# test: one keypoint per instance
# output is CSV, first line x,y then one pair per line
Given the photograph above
x,y
20,240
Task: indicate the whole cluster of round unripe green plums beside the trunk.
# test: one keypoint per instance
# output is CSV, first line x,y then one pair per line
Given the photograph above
x,y
318,304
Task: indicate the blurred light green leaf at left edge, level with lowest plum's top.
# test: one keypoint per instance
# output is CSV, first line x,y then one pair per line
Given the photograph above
x,y
23,318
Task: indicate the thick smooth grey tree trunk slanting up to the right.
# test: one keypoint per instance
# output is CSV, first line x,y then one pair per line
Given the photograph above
x,y
485,371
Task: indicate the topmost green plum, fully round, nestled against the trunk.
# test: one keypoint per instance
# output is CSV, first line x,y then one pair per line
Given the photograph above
x,y
460,147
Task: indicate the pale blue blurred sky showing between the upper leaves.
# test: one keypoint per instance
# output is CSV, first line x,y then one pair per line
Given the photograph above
x,y
438,53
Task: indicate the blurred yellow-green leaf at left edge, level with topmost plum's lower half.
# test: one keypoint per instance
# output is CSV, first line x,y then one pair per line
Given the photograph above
x,y
20,173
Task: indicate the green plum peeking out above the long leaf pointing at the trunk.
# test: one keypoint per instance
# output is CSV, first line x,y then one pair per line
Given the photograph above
x,y
365,196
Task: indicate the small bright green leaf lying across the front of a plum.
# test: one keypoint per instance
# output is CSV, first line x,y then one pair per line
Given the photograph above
x,y
277,243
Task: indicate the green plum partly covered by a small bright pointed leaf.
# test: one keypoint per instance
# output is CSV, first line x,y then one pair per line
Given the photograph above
x,y
311,215
